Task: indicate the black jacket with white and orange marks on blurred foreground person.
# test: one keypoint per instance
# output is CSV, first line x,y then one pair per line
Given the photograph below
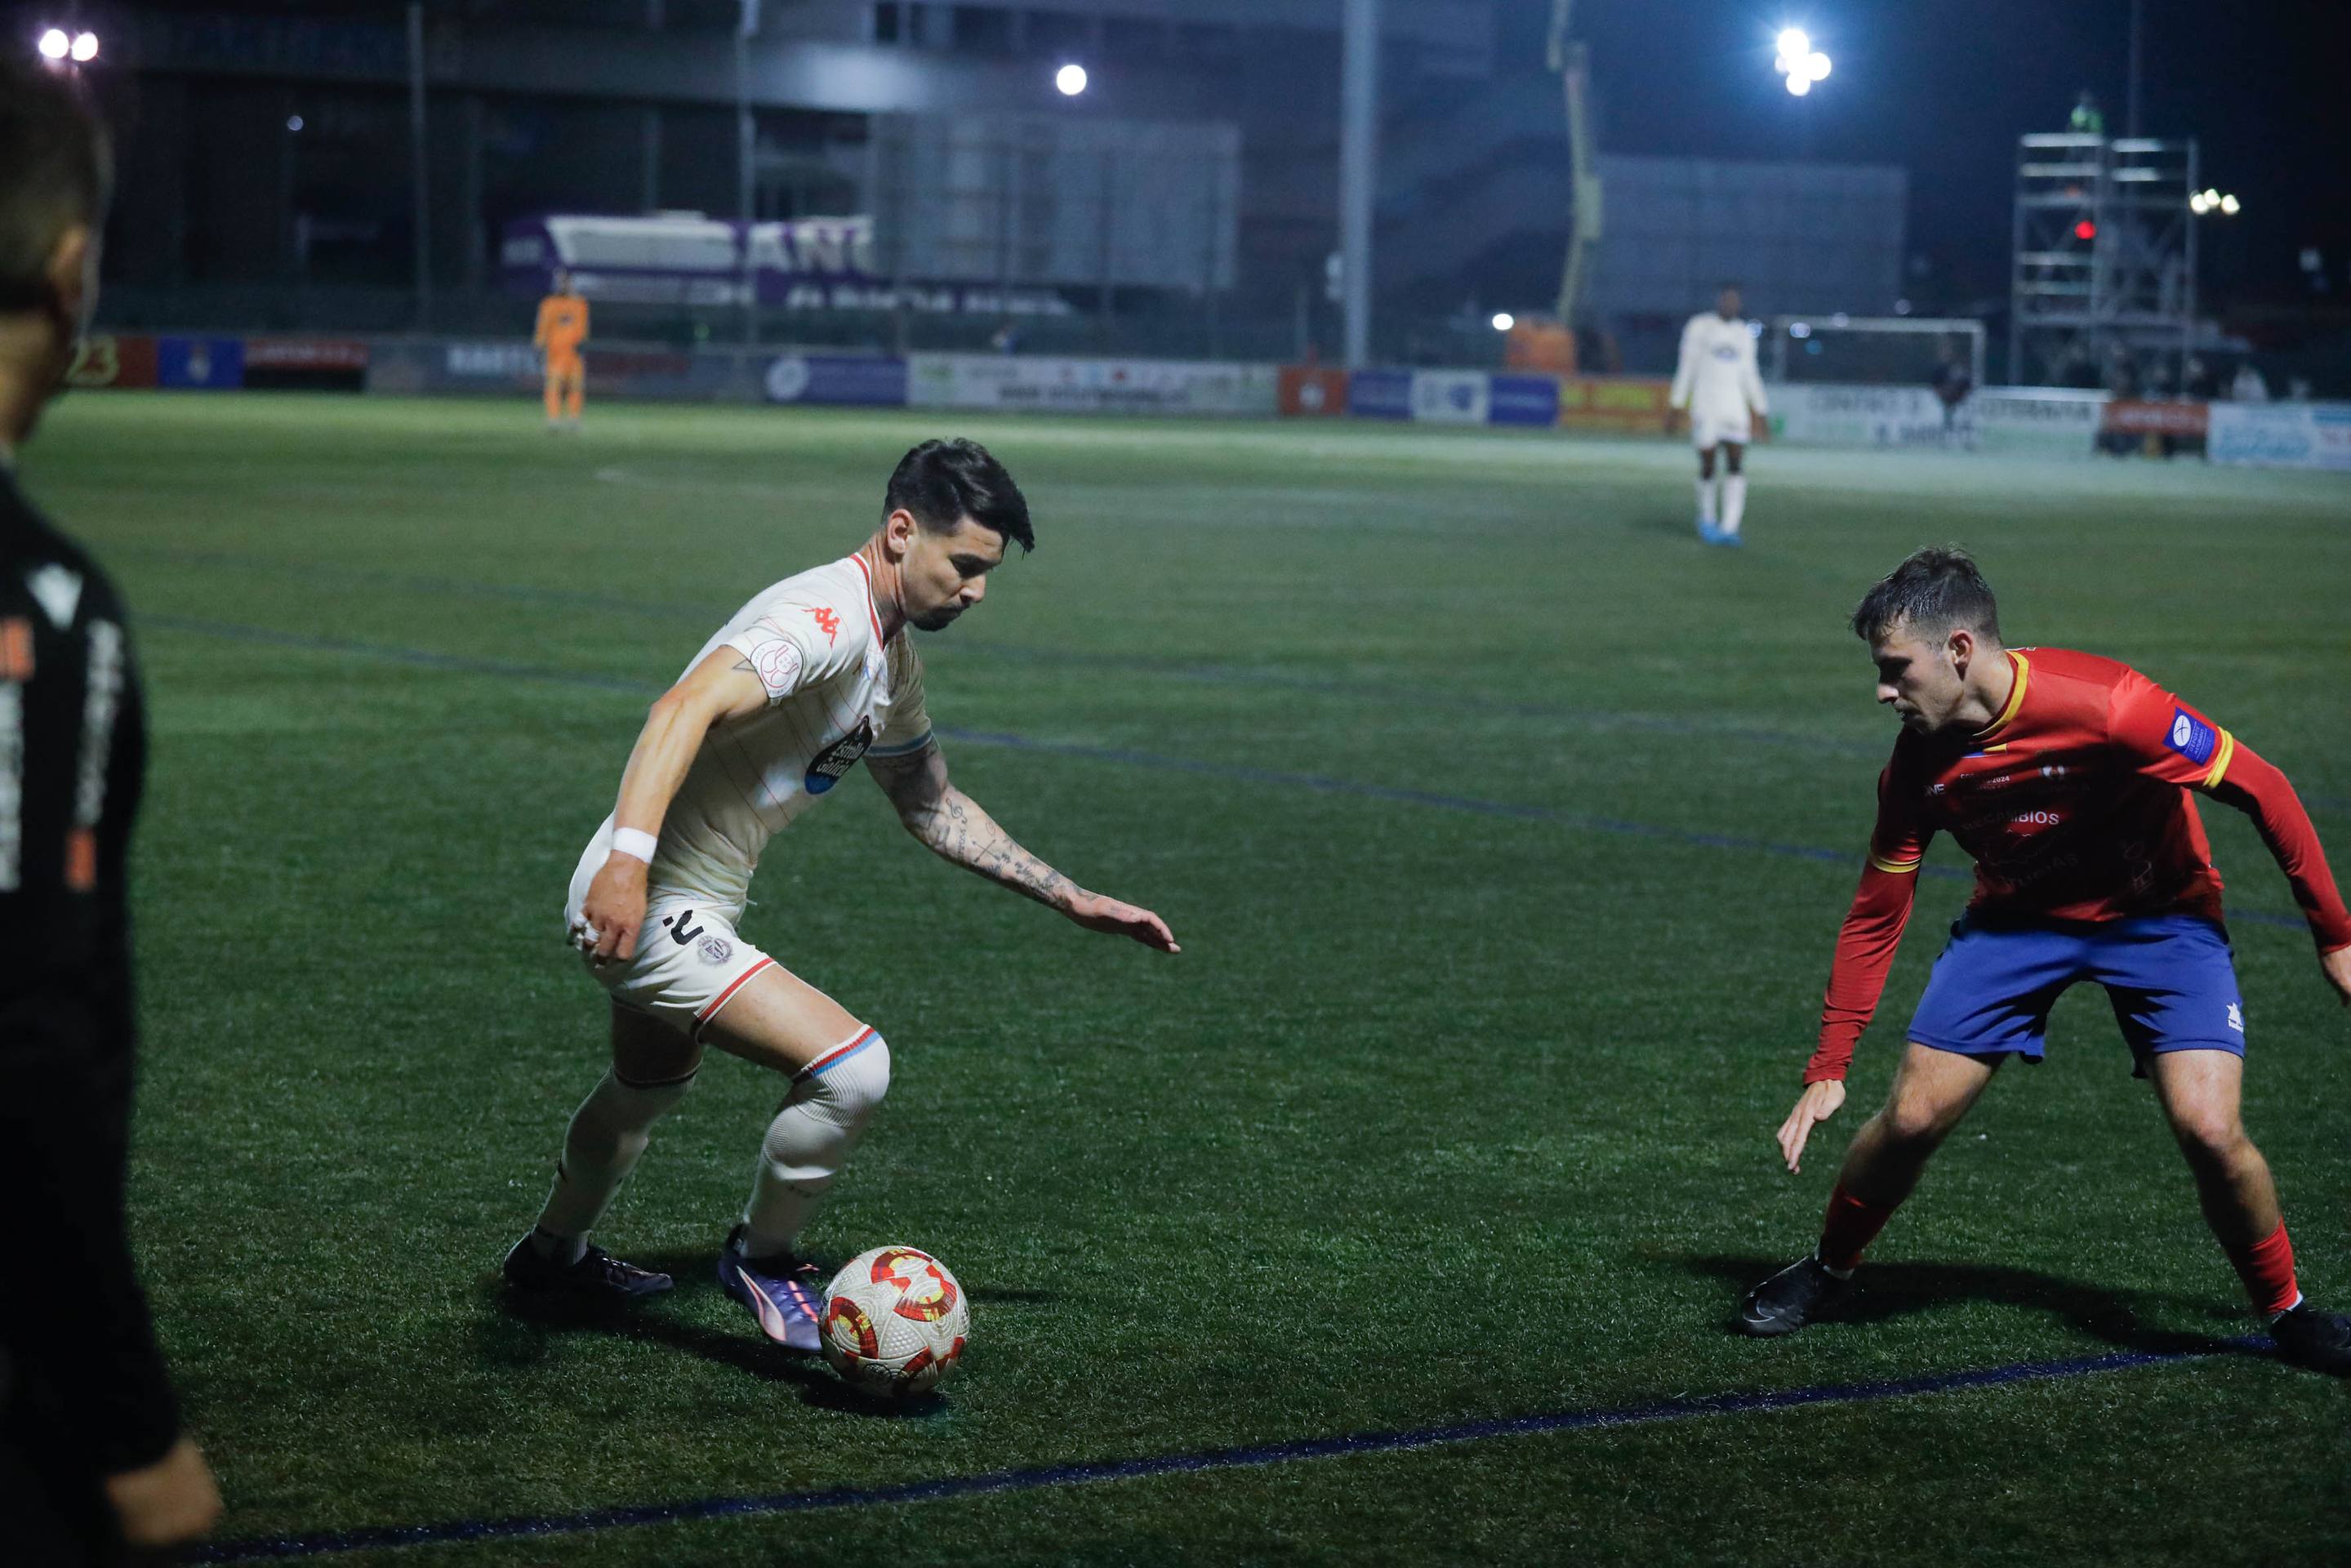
x,y
79,1362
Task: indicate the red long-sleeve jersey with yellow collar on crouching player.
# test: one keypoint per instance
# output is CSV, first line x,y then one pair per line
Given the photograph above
x,y
2075,805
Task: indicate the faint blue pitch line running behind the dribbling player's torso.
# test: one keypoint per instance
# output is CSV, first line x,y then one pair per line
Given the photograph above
x,y
1116,753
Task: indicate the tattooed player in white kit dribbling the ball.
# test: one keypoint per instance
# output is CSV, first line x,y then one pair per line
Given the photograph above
x,y
779,706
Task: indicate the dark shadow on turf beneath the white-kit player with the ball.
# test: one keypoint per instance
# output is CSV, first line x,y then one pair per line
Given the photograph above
x,y
521,1327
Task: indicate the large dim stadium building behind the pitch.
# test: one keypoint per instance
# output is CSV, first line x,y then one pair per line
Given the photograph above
x,y
1186,201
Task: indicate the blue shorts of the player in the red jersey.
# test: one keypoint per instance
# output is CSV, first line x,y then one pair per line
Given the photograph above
x,y
2169,977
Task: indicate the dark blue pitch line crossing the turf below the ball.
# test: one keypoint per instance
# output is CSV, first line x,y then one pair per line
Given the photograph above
x,y
1181,1463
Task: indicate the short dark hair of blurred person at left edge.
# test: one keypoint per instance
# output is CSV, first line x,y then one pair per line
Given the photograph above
x,y
55,173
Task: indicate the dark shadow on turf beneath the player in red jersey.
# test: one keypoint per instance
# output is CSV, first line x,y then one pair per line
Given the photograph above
x,y
1901,1289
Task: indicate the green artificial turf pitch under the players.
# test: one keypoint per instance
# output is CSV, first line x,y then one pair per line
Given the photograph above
x,y
1456,768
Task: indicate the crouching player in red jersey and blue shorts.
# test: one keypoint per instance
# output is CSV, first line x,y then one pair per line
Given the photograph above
x,y
2070,782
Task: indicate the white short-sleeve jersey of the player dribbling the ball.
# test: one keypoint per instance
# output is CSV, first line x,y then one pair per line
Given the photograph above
x,y
836,692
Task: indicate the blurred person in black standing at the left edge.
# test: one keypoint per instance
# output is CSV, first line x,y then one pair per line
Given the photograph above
x,y
93,1461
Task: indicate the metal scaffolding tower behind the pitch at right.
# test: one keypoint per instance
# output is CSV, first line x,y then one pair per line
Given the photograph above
x,y
2105,255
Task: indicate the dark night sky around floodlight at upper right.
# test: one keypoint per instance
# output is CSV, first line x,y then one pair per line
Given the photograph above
x,y
1945,88
